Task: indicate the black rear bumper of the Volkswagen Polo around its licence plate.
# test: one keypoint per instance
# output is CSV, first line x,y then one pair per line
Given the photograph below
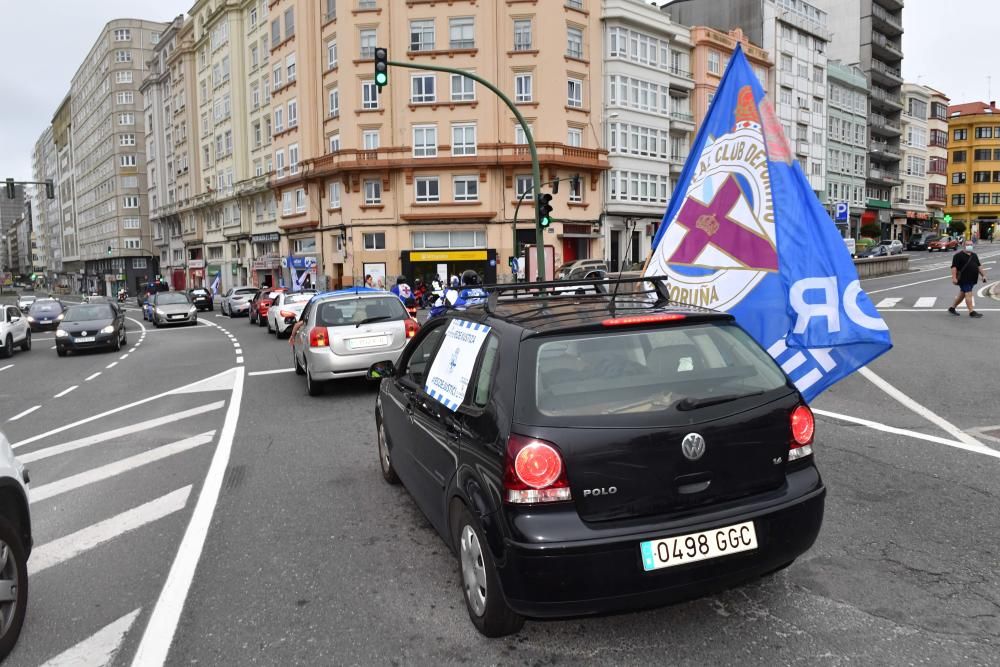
x,y
601,575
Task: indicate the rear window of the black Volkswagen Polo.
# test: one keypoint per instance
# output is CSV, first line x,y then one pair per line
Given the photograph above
x,y
651,371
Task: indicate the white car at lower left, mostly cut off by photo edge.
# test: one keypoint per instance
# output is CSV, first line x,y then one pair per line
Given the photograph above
x,y
15,545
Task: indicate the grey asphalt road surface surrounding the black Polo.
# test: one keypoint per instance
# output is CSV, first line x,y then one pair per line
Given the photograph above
x,y
306,557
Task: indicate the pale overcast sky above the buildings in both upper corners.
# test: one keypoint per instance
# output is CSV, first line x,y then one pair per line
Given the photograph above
x,y
948,45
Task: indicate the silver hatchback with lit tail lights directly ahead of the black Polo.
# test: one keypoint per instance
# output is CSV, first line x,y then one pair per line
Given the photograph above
x,y
341,334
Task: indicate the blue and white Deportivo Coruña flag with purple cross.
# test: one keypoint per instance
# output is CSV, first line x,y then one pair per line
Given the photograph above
x,y
745,234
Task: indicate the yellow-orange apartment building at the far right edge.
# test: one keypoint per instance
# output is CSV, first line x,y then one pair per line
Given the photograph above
x,y
974,167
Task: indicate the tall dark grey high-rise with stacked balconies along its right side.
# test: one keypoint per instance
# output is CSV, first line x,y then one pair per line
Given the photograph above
x,y
869,33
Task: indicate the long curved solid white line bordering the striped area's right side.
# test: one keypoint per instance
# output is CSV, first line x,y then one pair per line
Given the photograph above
x,y
159,634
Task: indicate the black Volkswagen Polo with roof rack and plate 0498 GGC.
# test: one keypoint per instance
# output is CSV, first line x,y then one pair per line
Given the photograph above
x,y
584,454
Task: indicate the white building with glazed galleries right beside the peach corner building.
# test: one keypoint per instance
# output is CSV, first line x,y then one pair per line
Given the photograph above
x,y
645,130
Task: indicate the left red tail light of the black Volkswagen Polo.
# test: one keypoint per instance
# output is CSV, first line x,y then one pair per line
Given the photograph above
x,y
534,472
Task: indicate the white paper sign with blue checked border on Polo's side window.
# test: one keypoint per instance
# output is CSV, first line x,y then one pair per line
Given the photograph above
x,y
451,371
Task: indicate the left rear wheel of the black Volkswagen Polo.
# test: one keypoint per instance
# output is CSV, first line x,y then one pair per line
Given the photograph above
x,y
481,588
